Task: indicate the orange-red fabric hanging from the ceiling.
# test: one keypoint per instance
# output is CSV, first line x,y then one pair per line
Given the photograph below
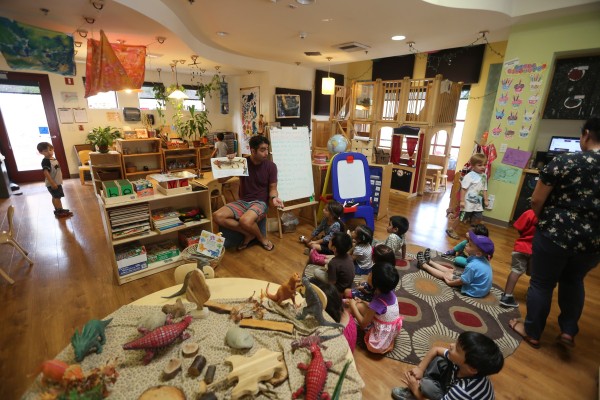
x,y
113,66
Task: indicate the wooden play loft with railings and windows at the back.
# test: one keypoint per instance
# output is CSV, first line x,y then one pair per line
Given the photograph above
x,y
363,109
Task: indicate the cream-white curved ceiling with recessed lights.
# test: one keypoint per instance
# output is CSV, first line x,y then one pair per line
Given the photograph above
x,y
263,33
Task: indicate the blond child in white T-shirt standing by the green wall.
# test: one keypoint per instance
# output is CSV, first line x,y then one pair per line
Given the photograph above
x,y
473,195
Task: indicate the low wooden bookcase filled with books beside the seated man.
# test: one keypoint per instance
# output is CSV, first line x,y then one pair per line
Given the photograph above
x,y
110,220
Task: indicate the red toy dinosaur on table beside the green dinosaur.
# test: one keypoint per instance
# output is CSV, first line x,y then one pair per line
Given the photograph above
x,y
160,337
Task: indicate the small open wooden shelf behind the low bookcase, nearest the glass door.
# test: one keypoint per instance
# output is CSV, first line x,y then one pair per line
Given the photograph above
x,y
140,157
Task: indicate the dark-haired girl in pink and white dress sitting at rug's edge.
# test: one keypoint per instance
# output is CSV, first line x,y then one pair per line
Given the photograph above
x,y
381,317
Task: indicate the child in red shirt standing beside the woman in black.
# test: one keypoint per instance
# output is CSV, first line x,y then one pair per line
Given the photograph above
x,y
521,256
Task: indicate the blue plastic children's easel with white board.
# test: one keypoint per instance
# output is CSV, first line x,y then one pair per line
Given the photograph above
x,y
351,183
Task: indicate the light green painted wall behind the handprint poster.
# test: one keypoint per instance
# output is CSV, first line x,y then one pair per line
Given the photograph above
x,y
539,43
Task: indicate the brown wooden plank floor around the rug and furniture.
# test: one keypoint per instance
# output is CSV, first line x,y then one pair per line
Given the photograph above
x,y
72,282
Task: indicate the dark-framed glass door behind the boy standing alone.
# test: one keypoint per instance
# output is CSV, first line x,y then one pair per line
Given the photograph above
x,y
27,117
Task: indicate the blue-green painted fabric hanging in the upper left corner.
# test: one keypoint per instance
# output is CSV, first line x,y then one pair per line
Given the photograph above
x,y
28,47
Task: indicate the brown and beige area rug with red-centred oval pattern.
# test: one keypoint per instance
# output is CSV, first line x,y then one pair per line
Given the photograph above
x,y
435,314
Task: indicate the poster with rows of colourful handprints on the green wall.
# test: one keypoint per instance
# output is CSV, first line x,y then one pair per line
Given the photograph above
x,y
517,107
